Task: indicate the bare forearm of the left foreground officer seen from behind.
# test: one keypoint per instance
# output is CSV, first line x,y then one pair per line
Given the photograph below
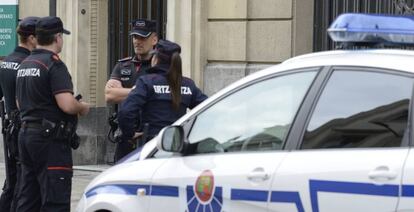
x,y
68,104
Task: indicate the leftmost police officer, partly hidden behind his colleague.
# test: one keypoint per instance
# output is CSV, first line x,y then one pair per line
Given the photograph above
x,y
8,72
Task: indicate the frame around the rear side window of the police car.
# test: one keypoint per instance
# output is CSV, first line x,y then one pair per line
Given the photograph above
x,y
308,111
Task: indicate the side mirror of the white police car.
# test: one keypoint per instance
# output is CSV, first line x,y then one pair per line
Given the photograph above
x,y
172,139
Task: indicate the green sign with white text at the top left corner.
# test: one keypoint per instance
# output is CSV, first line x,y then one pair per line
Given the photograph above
x,y
8,20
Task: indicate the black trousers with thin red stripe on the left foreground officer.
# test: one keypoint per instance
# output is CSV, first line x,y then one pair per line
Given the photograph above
x,y
46,179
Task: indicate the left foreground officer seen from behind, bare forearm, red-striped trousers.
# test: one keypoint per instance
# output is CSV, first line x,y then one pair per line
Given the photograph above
x,y
47,106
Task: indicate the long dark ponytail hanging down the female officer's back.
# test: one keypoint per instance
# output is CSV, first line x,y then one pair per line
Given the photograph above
x,y
174,78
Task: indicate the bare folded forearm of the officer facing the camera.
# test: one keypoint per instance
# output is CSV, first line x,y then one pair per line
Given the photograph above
x,y
114,92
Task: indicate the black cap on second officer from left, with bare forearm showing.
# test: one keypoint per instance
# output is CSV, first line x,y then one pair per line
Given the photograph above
x,y
50,25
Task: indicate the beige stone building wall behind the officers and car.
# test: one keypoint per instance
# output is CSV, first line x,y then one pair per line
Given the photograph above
x,y
222,41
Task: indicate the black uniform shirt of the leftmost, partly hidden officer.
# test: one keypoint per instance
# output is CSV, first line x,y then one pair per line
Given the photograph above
x,y
8,72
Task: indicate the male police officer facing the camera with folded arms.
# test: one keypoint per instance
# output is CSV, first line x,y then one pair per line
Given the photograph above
x,y
127,71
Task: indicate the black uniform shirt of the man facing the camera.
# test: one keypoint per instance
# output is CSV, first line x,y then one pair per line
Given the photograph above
x,y
129,69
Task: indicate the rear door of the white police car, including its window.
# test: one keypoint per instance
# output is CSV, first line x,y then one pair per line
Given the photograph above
x,y
353,146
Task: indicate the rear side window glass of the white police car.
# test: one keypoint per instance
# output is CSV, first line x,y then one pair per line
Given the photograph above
x,y
360,109
